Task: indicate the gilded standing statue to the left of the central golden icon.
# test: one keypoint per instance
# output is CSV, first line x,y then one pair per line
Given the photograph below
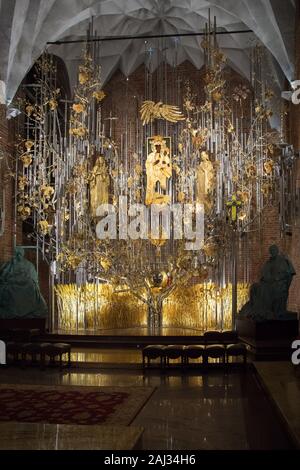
x,y
99,185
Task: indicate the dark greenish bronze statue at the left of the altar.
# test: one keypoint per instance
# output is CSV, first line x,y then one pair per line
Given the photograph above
x,y
20,296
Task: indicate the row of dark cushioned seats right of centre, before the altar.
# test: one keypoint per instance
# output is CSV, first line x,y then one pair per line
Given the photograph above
x,y
191,352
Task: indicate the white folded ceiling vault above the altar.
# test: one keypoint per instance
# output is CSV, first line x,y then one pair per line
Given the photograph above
x,y
27,25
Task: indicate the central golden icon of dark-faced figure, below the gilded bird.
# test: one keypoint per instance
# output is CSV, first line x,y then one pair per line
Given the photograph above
x,y
159,171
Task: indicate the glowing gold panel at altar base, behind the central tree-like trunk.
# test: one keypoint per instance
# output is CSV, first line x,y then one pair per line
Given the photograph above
x,y
202,306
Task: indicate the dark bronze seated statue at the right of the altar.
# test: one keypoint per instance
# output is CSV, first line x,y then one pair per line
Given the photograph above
x,y
269,297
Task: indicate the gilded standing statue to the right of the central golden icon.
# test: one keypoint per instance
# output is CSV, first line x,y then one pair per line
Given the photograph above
x,y
205,179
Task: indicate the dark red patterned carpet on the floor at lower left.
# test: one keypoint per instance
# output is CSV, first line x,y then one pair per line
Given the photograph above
x,y
71,405
